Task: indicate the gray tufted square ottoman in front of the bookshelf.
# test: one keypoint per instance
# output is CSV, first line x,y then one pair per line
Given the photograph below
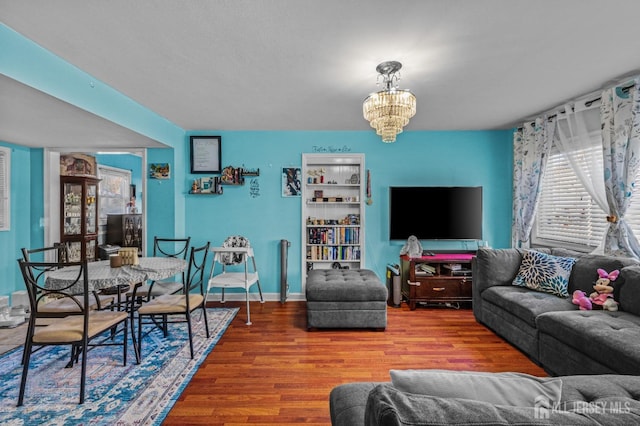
x,y
345,298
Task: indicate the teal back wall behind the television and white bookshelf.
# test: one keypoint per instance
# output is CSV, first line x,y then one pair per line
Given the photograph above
x,y
470,158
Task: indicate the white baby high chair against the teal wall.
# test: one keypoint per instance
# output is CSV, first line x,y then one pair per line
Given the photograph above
x,y
235,251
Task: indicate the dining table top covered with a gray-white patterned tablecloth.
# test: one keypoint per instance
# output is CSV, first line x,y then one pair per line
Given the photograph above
x,y
101,275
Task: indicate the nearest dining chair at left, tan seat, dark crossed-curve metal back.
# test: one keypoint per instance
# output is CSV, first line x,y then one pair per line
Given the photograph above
x,y
85,329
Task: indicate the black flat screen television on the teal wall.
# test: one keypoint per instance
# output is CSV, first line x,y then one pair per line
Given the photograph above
x,y
435,212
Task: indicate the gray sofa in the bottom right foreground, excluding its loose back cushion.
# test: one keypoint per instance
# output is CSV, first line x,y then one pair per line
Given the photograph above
x,y
586,400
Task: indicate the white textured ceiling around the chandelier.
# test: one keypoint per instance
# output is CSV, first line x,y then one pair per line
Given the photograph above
x,y
308,65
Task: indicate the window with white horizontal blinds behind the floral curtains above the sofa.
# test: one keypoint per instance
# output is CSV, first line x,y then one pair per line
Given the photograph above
x,y
567,216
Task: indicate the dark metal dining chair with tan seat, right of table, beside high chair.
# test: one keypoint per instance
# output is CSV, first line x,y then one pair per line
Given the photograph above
x,y
177,308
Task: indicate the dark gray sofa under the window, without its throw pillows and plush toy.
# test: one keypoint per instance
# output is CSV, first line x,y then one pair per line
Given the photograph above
x,y
551,330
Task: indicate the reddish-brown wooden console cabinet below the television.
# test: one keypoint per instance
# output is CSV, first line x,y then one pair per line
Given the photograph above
x,y
441,278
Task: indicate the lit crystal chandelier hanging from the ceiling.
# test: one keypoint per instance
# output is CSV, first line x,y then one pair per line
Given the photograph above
x,y
389,110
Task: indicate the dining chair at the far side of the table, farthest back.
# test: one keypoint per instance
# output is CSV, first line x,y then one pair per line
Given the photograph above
x,y
165,247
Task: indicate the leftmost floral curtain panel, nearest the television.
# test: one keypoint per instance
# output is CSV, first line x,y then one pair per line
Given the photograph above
x,y
531,146
